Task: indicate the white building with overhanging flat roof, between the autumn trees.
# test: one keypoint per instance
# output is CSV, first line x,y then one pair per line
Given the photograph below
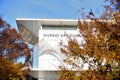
x,y
46,34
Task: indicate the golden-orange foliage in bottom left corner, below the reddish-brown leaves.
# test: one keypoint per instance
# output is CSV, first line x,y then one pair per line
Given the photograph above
x,y
9,70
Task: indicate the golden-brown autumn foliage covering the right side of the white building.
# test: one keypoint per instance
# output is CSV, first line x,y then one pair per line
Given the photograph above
x,y
100,50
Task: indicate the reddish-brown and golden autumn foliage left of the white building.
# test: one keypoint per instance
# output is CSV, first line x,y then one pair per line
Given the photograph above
x,y
12,48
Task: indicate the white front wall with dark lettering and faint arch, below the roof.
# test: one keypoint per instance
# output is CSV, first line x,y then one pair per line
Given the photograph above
x,y
49,54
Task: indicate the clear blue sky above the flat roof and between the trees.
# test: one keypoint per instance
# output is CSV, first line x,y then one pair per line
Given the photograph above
x,y
12,9
